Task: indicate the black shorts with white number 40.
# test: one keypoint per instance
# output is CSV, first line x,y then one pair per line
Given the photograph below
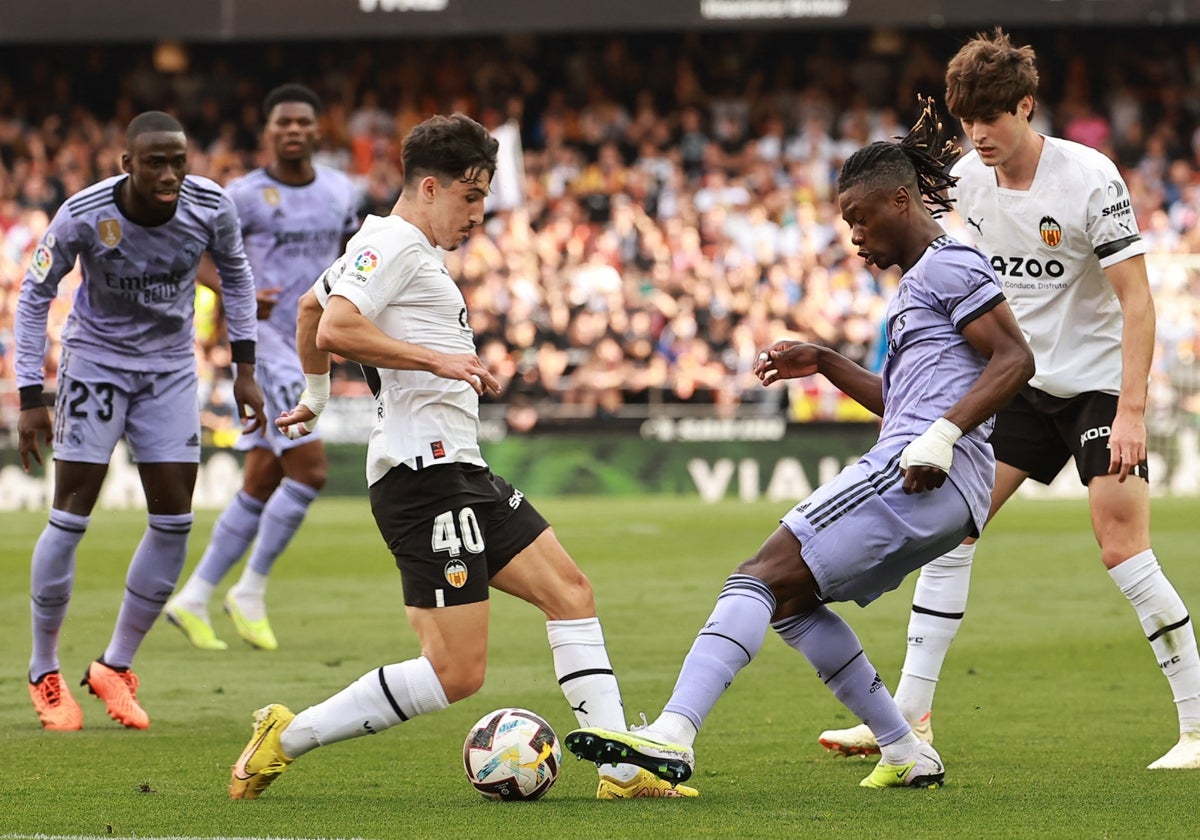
x,y
452,527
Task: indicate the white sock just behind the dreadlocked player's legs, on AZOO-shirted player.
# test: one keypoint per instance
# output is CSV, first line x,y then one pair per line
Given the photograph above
x,y
939,604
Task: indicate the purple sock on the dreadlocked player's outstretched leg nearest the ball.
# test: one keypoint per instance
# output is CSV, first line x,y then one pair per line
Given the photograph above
x,y
730,639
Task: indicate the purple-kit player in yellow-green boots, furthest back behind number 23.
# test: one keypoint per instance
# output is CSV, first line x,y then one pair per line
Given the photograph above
x,y
296,218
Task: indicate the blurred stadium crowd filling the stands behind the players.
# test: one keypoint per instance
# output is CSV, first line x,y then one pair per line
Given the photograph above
x,y
665,206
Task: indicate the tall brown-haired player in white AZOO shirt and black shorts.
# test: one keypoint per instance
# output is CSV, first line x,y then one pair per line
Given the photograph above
x,y
1055,220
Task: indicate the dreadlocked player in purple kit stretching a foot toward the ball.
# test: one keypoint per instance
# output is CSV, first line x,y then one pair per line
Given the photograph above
x,y
955,357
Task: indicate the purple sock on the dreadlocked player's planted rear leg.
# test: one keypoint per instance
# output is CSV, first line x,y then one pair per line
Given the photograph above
x,y
835,651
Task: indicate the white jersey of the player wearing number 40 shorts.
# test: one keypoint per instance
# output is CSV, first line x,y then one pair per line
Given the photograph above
x,y
400,283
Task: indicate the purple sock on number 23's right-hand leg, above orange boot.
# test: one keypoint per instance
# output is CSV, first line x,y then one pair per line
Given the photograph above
x,y
149,583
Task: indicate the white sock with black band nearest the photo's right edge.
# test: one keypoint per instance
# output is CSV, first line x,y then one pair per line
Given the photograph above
x,y
1166,621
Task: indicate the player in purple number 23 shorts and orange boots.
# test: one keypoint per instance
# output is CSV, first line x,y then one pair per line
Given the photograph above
x,y
128,370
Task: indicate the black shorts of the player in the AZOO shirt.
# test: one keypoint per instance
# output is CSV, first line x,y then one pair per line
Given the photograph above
x,y
1039,433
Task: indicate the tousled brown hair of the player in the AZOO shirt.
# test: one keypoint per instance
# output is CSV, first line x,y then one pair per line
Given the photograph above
x,y
989,76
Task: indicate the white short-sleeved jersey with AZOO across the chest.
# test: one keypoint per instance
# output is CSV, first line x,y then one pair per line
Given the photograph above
x,y
1049,247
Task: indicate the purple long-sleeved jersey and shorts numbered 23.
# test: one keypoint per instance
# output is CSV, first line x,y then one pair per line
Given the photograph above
x,y
129,362
